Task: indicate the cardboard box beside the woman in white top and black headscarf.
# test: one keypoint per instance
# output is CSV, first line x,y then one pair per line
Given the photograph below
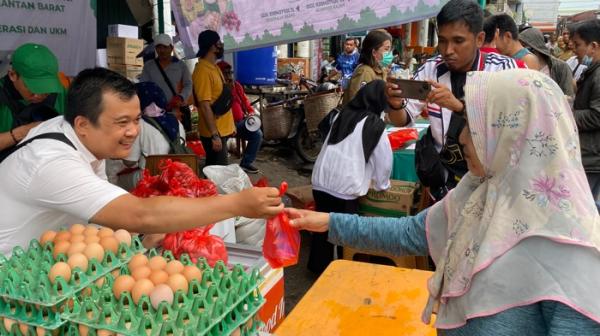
x,y
394,202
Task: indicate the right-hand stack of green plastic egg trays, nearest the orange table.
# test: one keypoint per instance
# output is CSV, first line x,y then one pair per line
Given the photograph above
x,y
220,302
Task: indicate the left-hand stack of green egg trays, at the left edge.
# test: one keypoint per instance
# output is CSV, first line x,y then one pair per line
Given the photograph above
x,y
28,296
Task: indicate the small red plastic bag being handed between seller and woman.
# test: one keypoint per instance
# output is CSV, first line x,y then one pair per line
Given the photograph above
x,y
282,242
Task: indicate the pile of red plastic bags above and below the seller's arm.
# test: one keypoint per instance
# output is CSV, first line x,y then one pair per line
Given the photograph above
x,y
178,179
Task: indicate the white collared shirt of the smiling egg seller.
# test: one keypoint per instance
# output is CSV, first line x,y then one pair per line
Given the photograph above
x,y
47,185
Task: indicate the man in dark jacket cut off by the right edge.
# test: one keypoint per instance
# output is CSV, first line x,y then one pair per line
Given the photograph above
x,y
586,107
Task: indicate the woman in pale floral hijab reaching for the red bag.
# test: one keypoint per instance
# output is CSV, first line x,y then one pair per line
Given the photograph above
x,y
516,243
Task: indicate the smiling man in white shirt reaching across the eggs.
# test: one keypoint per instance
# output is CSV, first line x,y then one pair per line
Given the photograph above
x,y
51,183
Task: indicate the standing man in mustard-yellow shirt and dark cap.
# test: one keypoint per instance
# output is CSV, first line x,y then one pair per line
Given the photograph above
x,y
213,99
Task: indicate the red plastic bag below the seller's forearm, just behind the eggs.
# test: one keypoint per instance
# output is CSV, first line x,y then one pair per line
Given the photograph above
x,y
197,243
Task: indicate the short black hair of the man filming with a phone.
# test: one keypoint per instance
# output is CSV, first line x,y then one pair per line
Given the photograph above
x,y
466,11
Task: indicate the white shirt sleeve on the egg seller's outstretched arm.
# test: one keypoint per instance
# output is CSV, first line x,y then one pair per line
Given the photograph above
x,y
69,185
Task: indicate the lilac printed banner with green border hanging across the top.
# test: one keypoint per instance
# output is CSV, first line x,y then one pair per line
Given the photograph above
x,y
248,24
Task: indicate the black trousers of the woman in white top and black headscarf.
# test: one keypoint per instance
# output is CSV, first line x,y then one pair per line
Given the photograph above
x,y
322,251
